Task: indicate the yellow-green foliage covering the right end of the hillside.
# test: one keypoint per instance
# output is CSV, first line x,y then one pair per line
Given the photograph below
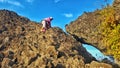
x,y
110,30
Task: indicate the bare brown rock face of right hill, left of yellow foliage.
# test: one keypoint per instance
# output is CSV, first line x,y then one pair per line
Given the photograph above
x,y
85,28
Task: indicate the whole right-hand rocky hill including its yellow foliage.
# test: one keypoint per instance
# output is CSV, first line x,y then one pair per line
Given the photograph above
x,y
100,28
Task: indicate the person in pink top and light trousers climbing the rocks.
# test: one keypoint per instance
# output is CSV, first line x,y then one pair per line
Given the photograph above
x,y
46,23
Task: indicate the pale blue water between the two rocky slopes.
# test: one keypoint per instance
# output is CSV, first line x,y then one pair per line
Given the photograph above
x,y
96,53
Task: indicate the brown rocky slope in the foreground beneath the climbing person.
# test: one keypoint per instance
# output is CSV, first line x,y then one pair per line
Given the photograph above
x,y
23,45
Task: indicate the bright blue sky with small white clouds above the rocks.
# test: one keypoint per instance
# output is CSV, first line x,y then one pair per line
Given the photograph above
x,y
63,11
